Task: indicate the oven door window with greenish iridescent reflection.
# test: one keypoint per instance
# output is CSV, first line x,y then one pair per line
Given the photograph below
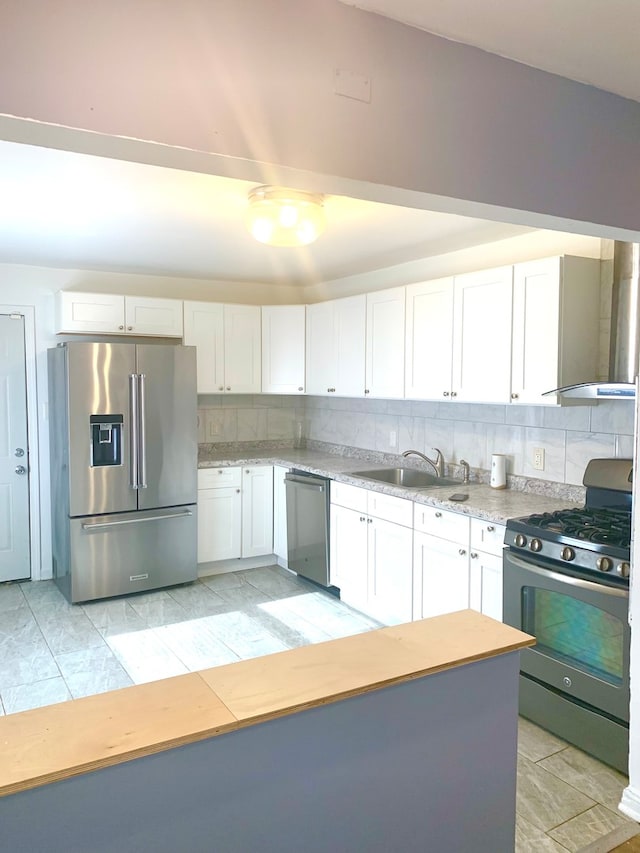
x,y
575,633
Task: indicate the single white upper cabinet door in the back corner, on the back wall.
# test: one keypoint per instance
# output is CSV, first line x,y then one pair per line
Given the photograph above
x,y
283,333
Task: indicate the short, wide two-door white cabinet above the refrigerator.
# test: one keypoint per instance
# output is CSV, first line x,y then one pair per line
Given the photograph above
x,y
112,314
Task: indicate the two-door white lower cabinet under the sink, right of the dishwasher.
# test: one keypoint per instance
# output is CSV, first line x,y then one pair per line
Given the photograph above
x,y
372,552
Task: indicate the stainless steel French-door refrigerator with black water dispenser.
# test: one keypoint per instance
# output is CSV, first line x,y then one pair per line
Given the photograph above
x,y
123,442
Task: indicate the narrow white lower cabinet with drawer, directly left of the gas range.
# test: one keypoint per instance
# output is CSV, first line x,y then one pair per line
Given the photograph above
x,y
485,567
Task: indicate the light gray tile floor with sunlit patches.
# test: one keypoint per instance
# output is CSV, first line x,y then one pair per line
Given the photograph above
x,y
52,651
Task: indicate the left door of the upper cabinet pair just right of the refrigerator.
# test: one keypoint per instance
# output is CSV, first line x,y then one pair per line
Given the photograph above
x,y
204,329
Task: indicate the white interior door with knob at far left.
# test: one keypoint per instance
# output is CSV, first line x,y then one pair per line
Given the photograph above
x,y
15,560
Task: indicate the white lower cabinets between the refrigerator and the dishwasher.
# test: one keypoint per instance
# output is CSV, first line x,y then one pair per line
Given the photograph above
x,y
235,513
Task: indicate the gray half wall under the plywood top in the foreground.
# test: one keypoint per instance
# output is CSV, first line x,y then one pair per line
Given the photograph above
x,y
429,765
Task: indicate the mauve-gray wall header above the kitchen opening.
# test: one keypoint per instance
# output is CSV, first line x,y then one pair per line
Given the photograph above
x,y
255,82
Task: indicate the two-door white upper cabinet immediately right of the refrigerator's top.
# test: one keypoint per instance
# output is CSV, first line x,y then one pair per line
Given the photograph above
x,y
228,342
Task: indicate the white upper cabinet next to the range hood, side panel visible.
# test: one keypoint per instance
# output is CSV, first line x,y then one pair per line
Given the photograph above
x,y
555,326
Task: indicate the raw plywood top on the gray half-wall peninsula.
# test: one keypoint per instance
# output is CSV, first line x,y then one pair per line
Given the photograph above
x,y
58,741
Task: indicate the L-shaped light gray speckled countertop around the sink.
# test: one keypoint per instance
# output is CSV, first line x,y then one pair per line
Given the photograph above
x,y
495,505
